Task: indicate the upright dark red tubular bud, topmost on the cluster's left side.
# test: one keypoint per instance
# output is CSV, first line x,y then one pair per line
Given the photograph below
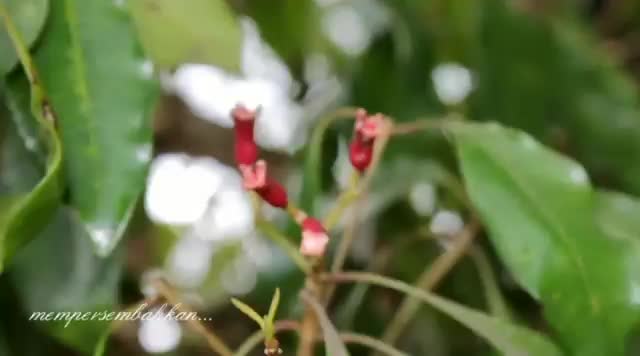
x,y
246,150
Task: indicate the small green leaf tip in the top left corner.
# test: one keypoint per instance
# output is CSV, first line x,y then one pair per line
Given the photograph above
x,y
29,16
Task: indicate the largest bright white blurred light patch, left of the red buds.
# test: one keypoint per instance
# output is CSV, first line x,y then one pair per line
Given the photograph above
x,y
179,187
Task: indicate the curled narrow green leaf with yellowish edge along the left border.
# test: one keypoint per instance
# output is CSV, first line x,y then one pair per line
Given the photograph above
x,y
32,153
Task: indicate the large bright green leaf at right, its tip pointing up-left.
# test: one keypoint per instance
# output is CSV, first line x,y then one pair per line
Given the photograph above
x,y
539,209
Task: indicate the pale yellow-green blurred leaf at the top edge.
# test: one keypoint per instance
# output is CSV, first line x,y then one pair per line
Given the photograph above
x,y
189,31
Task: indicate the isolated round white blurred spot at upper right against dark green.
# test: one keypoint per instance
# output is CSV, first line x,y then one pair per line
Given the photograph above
x,y
452,82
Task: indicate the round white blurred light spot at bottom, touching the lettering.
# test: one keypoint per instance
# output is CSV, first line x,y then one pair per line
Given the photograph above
x,y
159,335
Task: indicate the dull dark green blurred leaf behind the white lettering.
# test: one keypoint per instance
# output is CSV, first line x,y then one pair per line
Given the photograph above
x,y
74,280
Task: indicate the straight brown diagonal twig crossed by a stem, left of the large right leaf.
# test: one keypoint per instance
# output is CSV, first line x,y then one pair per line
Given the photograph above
x,y
429,279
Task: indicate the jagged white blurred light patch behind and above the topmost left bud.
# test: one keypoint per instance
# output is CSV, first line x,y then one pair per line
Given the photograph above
x,y
211,93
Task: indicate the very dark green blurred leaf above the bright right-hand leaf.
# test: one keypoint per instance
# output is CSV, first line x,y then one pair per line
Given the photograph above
x,y
518,54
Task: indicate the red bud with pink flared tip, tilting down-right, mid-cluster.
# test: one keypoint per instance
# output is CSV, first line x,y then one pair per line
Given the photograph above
x,y
255,178
